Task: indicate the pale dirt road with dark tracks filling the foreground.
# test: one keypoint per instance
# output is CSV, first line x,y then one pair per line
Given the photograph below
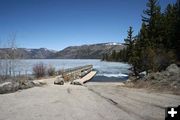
x,y
93,102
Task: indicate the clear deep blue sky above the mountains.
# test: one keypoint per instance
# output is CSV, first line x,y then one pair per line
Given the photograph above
x,y
56,24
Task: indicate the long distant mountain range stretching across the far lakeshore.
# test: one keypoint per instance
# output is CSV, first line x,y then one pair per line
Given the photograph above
x,y
93,51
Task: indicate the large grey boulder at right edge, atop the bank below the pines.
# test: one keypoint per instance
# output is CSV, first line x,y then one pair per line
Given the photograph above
x,y
173,69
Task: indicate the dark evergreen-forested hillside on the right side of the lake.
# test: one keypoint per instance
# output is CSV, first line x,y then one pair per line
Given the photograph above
x,y
158,43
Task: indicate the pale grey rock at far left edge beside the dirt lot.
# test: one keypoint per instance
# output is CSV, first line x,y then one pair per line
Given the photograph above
x,y
7,87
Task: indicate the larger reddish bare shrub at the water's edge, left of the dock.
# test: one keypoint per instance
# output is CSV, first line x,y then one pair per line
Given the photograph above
x,y
39,70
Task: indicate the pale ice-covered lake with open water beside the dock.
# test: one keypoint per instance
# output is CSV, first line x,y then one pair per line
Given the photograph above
x,y
108,71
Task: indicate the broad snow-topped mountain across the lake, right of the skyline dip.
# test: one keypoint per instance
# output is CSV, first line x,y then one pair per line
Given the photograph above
x,y
94,51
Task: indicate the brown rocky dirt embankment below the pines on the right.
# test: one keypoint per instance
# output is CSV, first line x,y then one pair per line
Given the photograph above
x,y
167,81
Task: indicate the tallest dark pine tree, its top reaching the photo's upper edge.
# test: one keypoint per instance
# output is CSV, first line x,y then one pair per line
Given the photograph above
x,y
153,21
